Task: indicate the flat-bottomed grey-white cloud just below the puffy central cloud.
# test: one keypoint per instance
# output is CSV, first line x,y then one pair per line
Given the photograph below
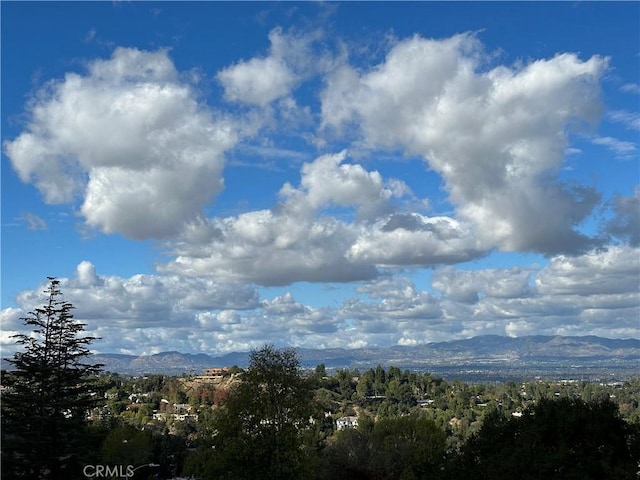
x,y
271,248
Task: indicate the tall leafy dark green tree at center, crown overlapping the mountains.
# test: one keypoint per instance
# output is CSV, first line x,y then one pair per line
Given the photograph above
x,y
260,432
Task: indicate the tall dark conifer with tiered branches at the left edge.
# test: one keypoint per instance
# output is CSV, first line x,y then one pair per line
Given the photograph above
x,y
49,393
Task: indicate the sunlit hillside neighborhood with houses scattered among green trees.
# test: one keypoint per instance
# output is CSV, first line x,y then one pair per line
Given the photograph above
x,y
184,407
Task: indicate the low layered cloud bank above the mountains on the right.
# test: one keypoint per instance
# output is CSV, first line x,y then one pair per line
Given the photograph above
x,y
593,294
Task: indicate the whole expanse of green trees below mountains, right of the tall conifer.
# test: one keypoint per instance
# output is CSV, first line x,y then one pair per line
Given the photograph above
x,y
410,425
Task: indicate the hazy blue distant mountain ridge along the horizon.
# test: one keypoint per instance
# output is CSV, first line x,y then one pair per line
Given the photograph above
x,y
482,356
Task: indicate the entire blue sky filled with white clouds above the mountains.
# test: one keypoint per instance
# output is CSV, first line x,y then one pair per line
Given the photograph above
x,y
211,176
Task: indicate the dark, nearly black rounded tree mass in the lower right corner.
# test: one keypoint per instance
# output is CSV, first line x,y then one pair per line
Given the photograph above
x,y
561,439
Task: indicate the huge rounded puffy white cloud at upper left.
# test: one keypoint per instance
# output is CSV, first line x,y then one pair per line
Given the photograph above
x,y
130,139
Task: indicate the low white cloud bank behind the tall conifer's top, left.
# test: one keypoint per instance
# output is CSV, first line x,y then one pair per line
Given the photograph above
x,y
152,313
